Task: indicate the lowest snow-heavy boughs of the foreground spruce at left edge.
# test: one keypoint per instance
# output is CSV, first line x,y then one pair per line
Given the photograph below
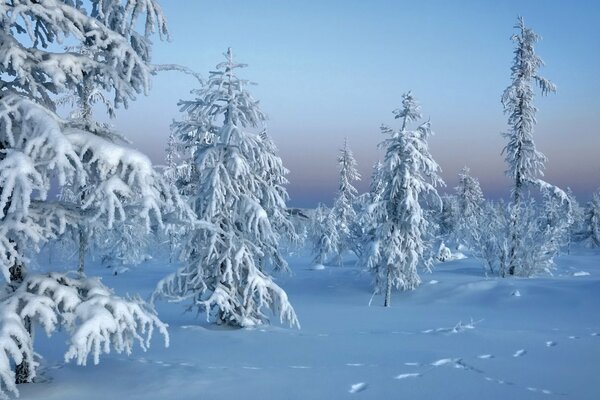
x,y
96,320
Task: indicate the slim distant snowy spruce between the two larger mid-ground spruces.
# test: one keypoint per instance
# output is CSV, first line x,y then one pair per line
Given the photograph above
x,y
343,208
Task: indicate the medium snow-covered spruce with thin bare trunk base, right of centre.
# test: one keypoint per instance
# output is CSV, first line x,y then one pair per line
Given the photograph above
x,y
410,175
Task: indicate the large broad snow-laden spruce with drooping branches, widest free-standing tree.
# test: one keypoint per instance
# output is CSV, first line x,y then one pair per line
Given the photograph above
x,y
239,190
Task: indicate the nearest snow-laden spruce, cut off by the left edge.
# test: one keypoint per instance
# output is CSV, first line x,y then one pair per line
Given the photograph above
x,y
38,148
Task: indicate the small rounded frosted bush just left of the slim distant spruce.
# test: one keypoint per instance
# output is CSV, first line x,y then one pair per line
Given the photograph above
x,y
324,234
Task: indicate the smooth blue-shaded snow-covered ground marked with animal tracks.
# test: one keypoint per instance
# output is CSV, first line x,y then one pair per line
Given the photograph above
x,y
460,335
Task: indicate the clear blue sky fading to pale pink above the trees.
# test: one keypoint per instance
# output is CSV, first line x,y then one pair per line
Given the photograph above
x,y
332,69
